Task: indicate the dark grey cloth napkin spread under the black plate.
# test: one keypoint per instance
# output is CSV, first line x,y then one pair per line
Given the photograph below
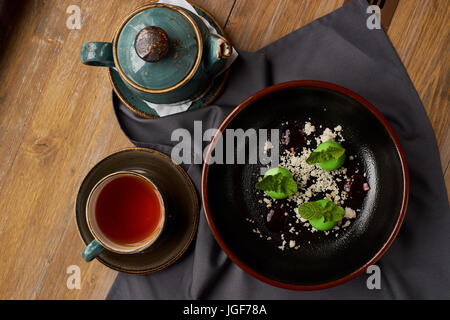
x,y
336,48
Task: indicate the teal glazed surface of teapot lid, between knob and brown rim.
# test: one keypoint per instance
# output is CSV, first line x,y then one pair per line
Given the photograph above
x,y
178,62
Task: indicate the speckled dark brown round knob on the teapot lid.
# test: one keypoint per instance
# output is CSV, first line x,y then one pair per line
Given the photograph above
x,y
151,44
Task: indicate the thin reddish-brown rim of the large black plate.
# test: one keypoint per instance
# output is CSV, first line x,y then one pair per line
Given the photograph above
x,y
348,93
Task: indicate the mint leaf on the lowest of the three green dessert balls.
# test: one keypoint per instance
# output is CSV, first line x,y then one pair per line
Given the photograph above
x,y
322,208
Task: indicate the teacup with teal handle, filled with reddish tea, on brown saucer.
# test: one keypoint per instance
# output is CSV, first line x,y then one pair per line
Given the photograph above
x,y
125,213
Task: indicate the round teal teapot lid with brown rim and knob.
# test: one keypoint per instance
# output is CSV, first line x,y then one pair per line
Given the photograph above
x,y
157,48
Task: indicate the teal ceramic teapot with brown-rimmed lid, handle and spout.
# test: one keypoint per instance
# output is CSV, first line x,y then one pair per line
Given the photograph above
x,y
163,53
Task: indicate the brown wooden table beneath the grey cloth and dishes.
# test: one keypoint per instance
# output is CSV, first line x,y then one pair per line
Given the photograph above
x,y
56,119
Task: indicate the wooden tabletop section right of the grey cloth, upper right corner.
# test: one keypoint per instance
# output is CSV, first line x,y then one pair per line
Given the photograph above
x,y
420,35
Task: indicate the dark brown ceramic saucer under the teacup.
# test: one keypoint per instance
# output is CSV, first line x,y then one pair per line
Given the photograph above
x,y
182,212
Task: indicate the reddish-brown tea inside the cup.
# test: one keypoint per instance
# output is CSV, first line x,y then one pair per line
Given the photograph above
x,y
128,210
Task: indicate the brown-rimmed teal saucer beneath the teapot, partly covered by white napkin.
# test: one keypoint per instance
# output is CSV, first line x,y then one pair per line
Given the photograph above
x,y
138,106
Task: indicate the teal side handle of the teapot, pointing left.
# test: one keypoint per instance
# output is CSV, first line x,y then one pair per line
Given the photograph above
x,y
99,54
